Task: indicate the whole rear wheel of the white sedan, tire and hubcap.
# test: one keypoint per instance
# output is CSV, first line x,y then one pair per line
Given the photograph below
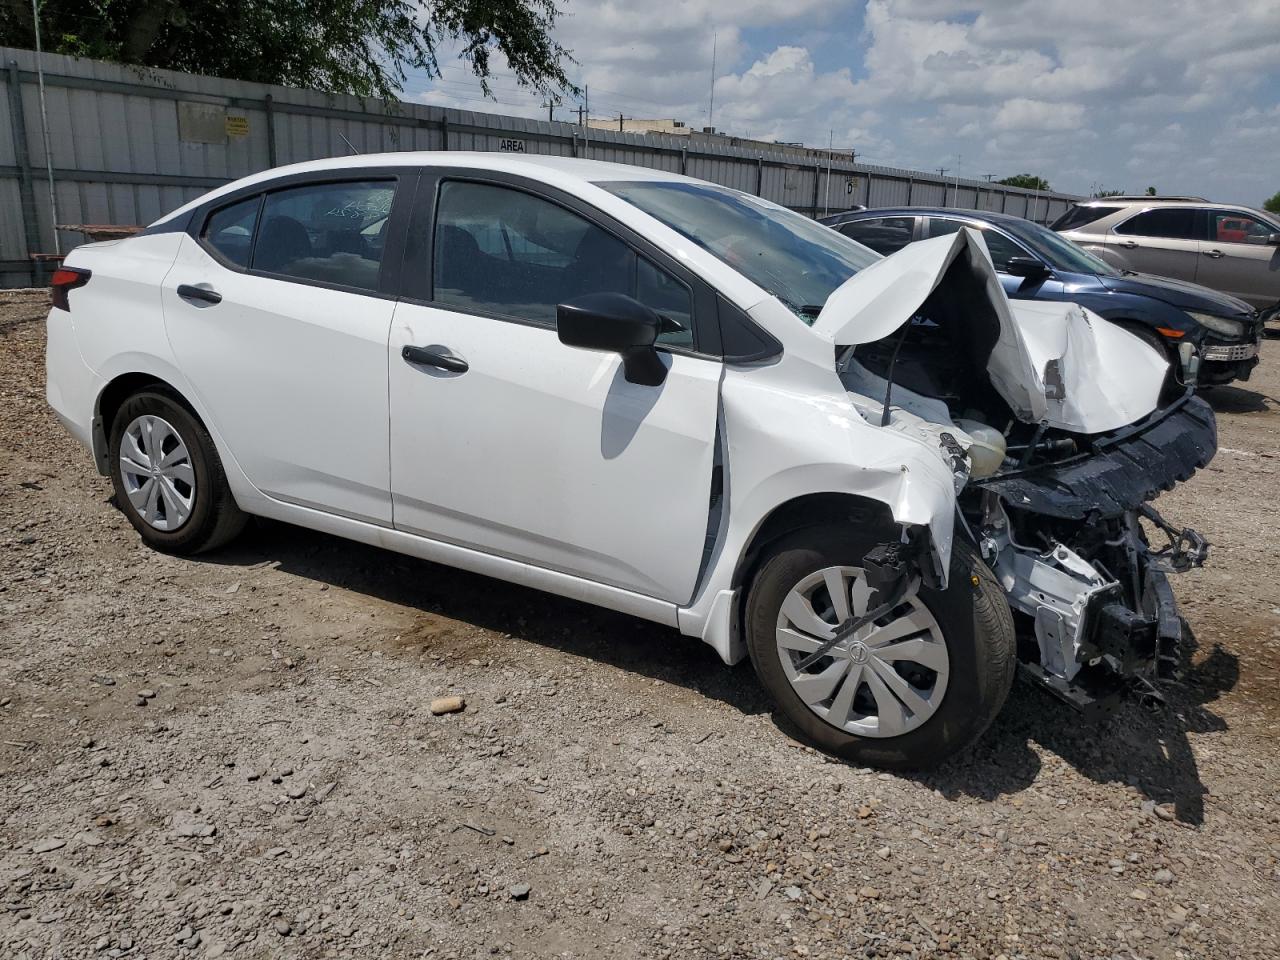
x,y
168,478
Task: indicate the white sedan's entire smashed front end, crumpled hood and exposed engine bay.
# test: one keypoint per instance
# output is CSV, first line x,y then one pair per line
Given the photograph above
x,y
1053,472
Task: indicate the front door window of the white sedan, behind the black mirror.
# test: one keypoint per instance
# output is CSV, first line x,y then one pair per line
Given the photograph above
x,y
504,252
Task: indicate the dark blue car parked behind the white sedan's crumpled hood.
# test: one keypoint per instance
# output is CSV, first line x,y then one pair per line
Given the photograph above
x,y
1037,264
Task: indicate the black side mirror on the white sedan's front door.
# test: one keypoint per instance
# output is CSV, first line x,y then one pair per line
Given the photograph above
x,y
615,323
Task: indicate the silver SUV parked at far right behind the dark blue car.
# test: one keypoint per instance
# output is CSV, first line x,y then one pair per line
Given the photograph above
x,y
1229,249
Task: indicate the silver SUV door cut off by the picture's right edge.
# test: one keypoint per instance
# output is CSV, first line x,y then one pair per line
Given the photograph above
x,y
1238,260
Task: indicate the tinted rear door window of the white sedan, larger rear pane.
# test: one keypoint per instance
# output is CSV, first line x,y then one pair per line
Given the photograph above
x,y
327,232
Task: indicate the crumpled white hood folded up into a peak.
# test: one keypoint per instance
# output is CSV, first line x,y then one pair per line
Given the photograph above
x,y
1053,363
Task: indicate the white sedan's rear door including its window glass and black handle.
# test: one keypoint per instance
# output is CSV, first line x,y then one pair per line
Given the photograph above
x,y
278,313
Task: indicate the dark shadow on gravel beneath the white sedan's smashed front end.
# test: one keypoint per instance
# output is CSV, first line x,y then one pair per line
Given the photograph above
x,y
1142,746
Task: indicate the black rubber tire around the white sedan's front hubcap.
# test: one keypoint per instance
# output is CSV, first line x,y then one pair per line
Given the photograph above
x,y
977,629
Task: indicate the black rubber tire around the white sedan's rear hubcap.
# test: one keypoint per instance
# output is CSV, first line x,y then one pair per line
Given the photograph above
x,y
214,519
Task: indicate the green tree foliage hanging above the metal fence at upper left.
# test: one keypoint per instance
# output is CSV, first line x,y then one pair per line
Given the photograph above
x,y
367,48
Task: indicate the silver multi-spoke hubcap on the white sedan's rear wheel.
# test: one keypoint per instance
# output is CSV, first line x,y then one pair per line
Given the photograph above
x,y
158,476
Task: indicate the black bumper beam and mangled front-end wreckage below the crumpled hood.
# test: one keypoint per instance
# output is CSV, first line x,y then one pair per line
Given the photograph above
x,y
1098,596
